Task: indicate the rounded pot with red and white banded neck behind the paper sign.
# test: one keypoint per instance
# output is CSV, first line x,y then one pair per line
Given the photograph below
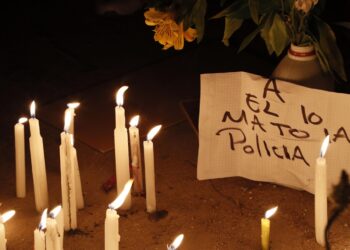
x,y
301,66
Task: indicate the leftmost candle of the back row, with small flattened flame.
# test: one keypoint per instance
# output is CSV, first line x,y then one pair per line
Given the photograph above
x,y
20,158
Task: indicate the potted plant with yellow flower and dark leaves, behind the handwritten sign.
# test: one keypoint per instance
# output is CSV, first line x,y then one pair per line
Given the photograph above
x,y
313,56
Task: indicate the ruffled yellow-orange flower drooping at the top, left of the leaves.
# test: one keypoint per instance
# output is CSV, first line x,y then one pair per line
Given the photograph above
x,y
167,31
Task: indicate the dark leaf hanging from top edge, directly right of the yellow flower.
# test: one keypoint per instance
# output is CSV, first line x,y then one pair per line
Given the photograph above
x,y
198,17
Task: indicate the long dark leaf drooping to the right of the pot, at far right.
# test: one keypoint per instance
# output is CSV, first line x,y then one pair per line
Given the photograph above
x,y
329,48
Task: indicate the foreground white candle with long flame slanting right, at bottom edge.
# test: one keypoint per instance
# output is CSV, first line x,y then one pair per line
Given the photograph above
x,y
112,236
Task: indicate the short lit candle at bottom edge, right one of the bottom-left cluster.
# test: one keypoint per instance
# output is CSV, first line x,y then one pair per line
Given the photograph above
x,y
53,232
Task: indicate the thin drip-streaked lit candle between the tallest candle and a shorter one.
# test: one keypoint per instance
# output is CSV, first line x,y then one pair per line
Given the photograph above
x,y
135,150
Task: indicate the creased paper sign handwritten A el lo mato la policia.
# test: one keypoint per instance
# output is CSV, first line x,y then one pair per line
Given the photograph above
x,y
270,130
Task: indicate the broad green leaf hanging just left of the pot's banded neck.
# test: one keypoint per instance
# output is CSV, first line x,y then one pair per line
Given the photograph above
x,y
278,35
